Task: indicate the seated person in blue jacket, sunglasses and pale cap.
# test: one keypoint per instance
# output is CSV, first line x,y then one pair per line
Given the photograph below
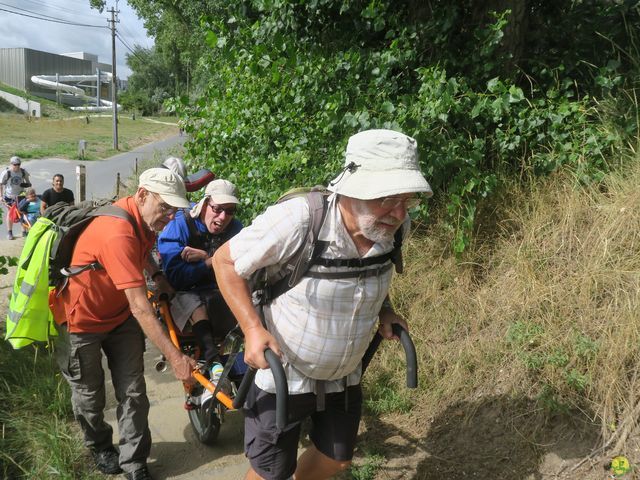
x,y
186,246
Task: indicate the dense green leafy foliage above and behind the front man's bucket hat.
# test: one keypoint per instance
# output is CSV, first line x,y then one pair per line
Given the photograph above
x,y
488,88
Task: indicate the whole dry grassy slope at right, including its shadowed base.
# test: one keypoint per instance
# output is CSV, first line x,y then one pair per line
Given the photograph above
x,y
537,325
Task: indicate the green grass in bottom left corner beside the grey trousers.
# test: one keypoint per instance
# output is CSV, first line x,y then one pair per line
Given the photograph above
x,y
39,438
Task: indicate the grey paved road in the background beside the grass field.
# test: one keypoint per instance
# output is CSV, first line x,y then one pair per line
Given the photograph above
x,y
102,174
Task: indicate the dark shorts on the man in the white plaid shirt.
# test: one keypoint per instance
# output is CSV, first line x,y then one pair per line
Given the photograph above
x,y
273,453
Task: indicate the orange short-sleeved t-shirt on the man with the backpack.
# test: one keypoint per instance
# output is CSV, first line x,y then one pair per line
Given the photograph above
x,y
94,301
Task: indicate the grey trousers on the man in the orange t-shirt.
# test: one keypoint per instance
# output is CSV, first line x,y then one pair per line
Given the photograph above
x,y
79,356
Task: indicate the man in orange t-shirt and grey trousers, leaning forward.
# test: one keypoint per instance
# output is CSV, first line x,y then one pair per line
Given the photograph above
x,y
107,310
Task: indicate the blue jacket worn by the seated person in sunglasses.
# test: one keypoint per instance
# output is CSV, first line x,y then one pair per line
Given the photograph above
x,y
172,240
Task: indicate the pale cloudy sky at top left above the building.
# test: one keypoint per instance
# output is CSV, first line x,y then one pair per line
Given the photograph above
x,y
20,30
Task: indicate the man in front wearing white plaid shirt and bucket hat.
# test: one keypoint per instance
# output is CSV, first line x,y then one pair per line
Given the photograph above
x,y
322,326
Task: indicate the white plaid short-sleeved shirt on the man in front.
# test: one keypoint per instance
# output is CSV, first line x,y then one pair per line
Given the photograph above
x,y
323,326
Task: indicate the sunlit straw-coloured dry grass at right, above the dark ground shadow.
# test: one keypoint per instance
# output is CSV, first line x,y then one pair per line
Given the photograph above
x,y
545,307
